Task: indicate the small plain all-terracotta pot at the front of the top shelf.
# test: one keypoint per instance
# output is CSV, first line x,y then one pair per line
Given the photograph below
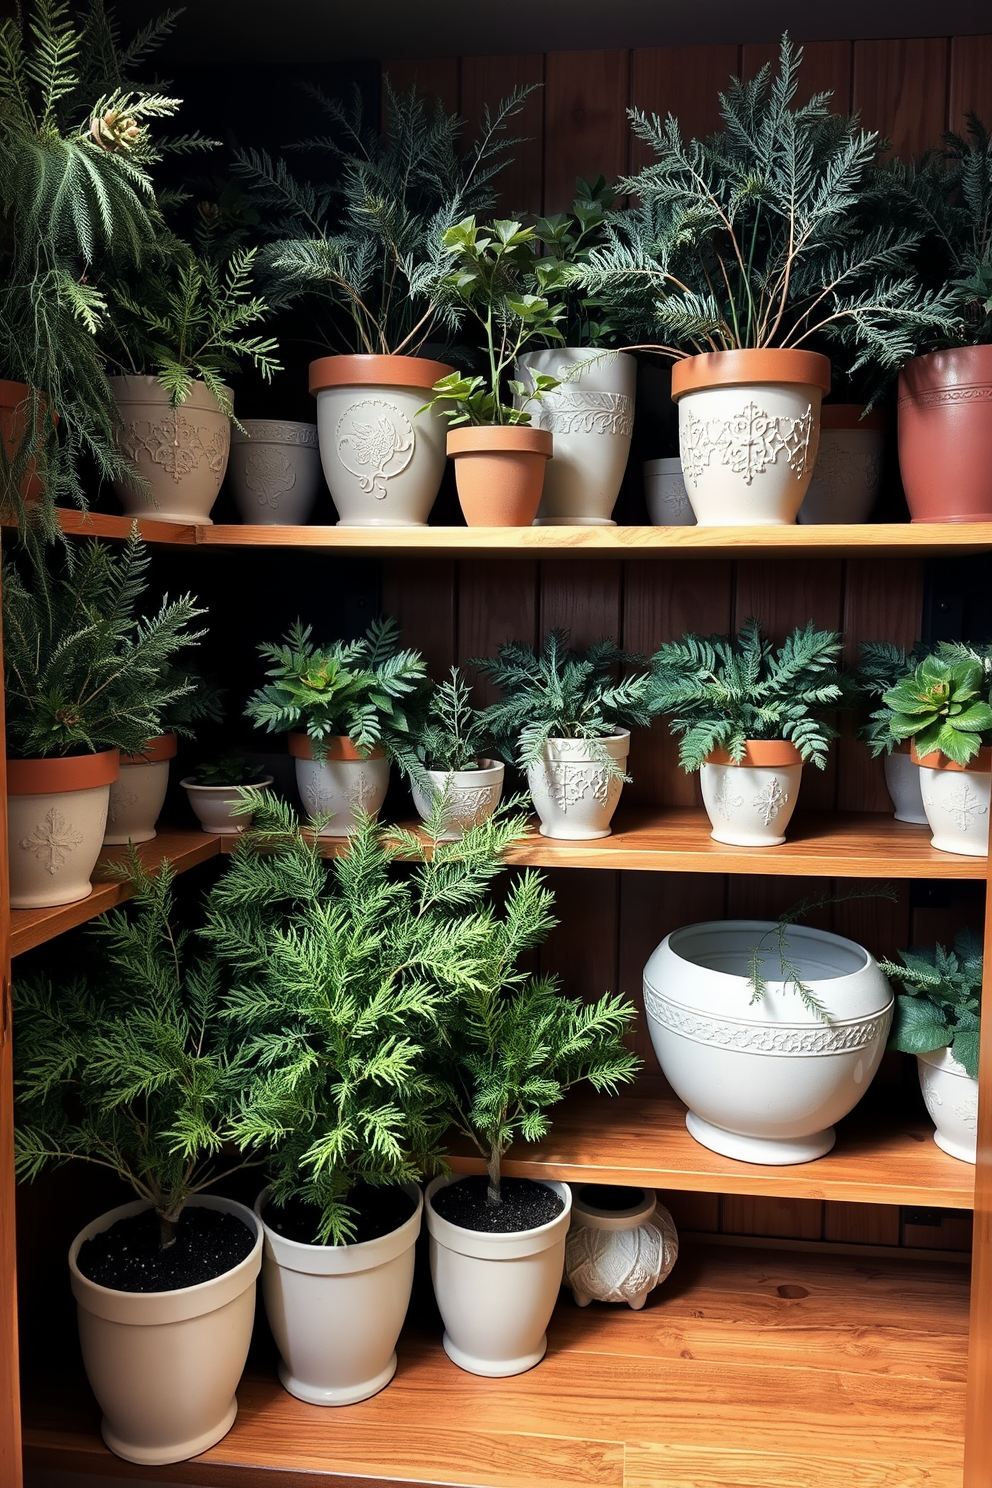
x,y
500,472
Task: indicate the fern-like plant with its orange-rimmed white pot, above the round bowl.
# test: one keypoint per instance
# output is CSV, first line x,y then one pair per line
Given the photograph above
x,y
749,716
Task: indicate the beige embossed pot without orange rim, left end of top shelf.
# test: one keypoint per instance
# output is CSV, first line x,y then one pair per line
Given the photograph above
x,y
181,453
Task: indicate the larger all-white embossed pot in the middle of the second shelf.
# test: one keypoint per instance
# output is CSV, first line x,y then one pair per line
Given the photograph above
x,y
573,789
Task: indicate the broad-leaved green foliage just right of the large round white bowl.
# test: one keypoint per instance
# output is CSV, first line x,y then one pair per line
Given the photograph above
x,y
941,1004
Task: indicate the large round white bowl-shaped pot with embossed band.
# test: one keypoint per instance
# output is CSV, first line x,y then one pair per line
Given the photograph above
x,y
765,1081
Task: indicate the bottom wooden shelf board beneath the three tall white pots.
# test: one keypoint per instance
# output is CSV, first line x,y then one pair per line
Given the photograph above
x,y
865,1361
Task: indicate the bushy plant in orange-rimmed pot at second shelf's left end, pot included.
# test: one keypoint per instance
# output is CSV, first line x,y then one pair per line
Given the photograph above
x,y
87,681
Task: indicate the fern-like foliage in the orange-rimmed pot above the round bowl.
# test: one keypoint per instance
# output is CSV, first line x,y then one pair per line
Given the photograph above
x,y
722,691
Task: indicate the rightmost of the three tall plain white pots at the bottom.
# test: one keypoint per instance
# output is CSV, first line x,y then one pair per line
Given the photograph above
x,y
497,1294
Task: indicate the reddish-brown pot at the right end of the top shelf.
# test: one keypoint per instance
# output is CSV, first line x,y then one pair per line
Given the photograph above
x,y
945,435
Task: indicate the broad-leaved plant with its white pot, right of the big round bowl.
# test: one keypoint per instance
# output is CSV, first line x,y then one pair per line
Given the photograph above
x,y
939,1020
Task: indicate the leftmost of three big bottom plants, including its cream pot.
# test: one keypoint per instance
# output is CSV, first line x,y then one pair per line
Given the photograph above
x,y
133,1071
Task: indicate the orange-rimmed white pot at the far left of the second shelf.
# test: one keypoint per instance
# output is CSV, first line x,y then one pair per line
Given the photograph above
x,y
57,816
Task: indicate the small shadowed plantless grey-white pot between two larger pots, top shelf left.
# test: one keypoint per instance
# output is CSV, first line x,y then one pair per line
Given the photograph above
x,y
274,472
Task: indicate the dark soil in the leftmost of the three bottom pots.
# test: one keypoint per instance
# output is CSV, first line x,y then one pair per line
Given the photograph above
x,y
129,1258
